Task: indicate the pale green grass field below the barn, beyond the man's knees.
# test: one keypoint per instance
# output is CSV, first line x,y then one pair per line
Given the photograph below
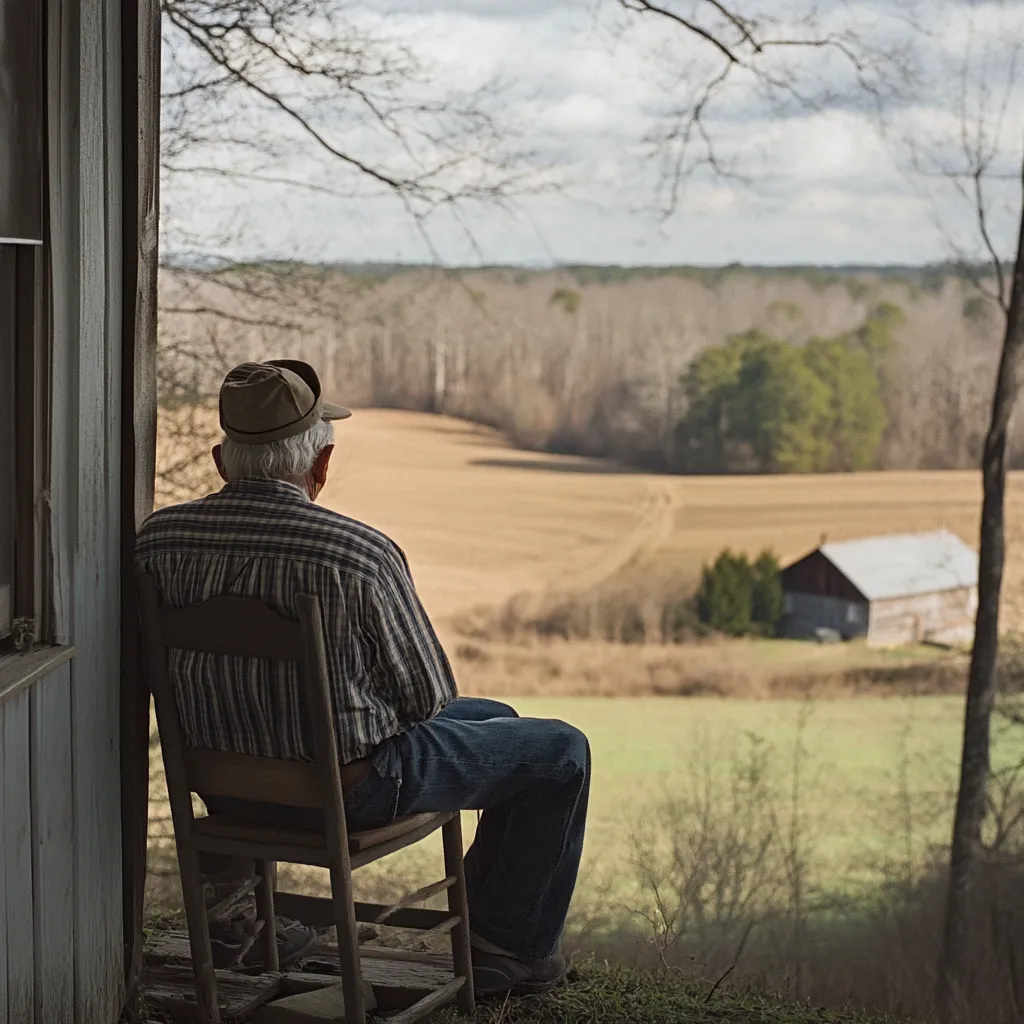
x,y
876,779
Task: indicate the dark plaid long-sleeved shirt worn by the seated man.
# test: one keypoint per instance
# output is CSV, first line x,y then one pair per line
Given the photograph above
x,y
266,539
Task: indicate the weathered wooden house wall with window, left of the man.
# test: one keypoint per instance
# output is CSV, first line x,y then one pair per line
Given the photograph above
x,y
79,99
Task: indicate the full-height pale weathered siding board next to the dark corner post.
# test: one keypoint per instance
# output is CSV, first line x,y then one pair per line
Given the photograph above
x,y
96,396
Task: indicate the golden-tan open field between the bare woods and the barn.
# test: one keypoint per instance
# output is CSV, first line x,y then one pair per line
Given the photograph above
x,y
482,522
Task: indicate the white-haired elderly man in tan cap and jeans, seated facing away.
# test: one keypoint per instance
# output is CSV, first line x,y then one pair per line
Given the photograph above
x,y
407,742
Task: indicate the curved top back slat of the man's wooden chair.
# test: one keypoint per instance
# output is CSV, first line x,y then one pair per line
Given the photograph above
x,y
239,626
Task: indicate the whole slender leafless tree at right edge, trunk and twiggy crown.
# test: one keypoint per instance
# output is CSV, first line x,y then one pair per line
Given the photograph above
x,y
976,155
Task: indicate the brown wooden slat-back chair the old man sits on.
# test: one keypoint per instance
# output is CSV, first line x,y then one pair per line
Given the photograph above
x,y
247,627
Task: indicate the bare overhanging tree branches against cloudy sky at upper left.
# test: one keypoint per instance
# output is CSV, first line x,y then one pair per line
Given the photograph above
x,y
321,97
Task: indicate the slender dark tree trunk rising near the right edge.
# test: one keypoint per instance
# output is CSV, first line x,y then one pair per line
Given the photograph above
x,y
955,960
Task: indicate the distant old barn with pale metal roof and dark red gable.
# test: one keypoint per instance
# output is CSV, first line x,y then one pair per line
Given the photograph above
x,y
891,590
